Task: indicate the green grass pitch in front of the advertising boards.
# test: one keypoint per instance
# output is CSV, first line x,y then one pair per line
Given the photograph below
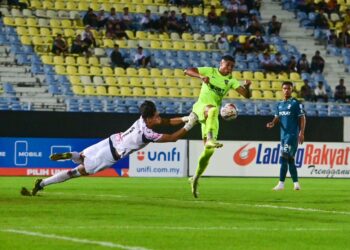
x,y
160,213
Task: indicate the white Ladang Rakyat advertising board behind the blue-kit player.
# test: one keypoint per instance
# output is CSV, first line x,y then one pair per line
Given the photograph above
x,y
251,158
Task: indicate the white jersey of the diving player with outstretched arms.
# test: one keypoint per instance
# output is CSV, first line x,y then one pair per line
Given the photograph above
x,y
135,138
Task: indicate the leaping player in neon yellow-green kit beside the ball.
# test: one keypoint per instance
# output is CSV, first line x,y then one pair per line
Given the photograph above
x,y
216,83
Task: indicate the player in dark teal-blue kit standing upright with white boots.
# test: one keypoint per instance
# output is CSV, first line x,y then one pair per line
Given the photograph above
x,y
291,116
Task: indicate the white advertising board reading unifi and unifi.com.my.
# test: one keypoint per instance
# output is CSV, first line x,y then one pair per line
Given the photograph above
x,y
160,160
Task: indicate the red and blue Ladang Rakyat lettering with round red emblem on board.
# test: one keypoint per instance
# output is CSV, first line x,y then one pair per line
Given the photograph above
x,y
310,154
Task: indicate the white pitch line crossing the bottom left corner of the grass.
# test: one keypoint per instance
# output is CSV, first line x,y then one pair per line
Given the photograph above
x,y
77,240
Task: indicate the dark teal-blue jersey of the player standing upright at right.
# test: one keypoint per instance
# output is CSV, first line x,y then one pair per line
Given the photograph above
x,y
288,112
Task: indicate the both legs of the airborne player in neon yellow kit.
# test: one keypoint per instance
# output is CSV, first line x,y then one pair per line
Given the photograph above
x,y
210,128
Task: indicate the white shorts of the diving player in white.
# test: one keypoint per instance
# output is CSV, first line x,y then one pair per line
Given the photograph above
x,y
98,157
